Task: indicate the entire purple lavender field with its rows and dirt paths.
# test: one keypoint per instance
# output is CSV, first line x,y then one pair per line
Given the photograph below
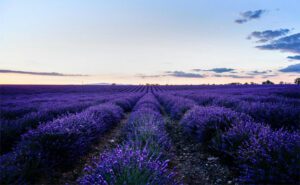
x,y
227,134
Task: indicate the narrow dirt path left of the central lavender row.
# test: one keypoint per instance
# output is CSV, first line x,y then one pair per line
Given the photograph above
x,y
107,142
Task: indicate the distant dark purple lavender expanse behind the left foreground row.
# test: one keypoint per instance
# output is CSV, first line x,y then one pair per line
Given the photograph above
x,y
22,112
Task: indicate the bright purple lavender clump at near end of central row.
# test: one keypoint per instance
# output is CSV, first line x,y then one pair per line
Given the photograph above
x,y
128,166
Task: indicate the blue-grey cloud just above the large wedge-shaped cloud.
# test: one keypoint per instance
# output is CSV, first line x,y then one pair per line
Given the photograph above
x,y
268,35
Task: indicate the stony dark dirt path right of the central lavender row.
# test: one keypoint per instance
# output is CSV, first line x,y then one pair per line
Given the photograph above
x,y
193,164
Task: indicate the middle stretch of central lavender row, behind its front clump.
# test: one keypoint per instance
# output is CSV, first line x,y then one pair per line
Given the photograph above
x,y
145,127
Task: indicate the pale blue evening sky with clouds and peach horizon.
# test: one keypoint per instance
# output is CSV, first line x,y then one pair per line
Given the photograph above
x,y
149,41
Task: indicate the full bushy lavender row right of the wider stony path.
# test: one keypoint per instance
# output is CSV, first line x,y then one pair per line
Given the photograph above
x,y
261,154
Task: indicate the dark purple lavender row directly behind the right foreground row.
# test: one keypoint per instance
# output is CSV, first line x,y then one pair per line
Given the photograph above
x,y
277,111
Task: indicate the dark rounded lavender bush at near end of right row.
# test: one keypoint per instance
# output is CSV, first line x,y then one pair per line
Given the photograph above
x,y
270,157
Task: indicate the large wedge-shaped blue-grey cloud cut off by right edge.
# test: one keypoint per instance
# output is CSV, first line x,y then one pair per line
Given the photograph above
x,y
288,44
